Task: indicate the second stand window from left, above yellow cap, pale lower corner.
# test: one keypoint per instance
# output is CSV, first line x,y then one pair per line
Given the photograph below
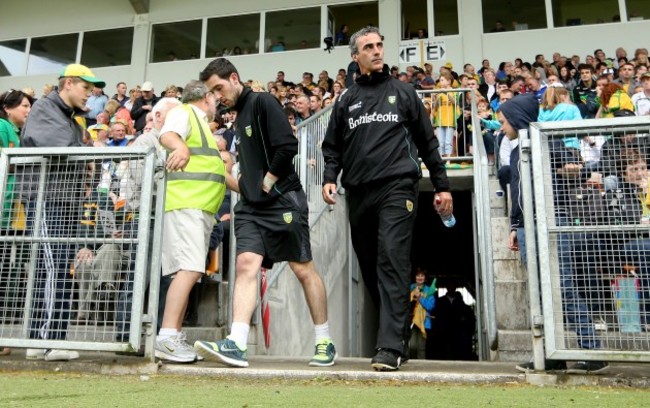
x,y
52,54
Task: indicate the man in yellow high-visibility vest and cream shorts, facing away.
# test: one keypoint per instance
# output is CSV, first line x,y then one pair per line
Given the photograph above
x,y
196,184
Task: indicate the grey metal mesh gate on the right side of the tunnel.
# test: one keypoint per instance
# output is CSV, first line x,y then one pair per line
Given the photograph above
x,y
591,243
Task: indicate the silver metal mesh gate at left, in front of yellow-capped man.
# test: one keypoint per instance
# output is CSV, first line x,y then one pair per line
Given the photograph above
x,y
76,257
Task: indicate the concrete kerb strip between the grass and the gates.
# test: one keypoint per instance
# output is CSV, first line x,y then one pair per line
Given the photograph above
x,y
263,367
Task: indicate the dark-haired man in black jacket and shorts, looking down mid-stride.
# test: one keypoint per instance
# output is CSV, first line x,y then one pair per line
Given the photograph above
x,y
271,219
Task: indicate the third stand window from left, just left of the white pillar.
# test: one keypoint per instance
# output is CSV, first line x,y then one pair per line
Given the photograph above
x,y
107,48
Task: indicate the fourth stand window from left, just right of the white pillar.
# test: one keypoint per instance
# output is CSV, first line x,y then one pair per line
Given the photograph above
x,y
176,41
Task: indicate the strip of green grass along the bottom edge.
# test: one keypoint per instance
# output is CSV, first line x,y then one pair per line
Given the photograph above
x,y
40,389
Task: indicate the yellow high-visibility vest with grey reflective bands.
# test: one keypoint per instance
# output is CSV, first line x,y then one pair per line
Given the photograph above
x,y
202,185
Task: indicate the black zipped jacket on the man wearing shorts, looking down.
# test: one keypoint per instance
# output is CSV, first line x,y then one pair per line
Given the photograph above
x,y
265,142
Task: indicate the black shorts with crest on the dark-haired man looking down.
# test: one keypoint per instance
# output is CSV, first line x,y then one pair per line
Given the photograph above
x,y
279,231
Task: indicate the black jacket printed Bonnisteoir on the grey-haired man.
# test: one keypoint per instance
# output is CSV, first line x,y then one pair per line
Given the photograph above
x,y
377,130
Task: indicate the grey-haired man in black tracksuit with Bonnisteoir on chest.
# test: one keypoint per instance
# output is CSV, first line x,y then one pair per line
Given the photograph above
x,y
377,130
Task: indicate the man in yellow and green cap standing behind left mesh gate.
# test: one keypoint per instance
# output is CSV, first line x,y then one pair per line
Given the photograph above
x,y
52,123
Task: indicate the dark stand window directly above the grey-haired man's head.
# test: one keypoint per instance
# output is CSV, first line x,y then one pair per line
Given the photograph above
x,y
354,16
